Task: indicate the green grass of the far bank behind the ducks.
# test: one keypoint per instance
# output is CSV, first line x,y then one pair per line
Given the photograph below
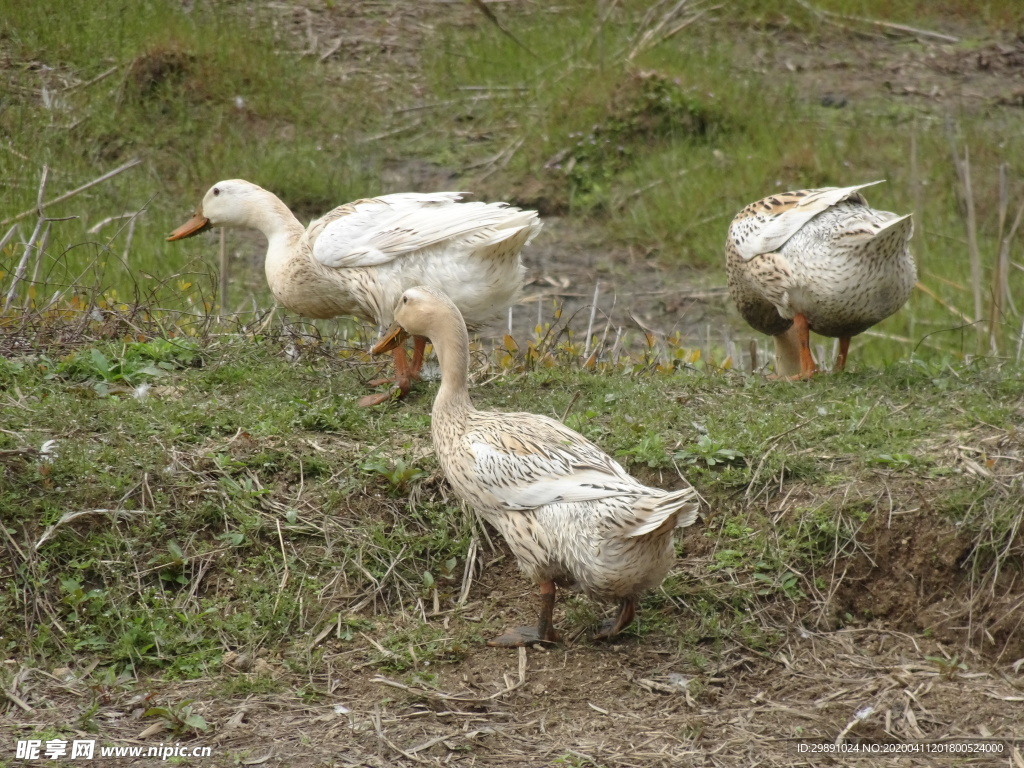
x,y
658,144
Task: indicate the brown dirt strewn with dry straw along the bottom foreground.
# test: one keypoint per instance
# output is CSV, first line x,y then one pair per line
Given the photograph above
x,y
639,702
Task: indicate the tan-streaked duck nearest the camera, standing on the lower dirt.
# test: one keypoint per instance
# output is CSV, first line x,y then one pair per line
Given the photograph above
x,y
570,514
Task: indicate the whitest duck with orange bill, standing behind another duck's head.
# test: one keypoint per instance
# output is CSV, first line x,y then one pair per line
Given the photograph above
x,y
358,260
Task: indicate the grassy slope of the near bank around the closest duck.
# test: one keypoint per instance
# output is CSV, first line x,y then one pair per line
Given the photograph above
x,y
225,513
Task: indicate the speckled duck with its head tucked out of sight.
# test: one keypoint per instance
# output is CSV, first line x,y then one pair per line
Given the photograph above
x,y
819,261
